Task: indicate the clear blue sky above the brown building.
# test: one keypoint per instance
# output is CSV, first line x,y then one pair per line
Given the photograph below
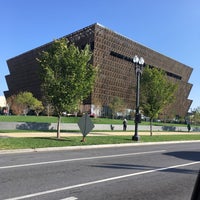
x,y
170,27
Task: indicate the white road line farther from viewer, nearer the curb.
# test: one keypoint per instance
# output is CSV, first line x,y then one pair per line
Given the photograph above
x,y
78,159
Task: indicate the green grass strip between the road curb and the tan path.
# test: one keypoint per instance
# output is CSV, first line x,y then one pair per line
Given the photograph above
x,y
23,143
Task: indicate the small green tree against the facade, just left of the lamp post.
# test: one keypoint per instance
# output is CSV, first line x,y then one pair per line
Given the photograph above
x,y
116,105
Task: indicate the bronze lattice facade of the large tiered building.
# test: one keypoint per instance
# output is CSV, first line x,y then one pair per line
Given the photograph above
x,y
113,54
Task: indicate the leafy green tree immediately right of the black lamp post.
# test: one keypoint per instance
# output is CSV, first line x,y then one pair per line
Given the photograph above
x,y
156,92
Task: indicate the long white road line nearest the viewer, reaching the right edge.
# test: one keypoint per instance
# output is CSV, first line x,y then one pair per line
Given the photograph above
x,y
101,181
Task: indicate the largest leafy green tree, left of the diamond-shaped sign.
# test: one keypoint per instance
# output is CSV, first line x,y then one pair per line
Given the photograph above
x,y
67,76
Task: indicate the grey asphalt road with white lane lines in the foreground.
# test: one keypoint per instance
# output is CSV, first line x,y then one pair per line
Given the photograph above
x,y
166,171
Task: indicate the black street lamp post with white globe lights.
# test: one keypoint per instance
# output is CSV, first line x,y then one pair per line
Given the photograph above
x,y
139,63
